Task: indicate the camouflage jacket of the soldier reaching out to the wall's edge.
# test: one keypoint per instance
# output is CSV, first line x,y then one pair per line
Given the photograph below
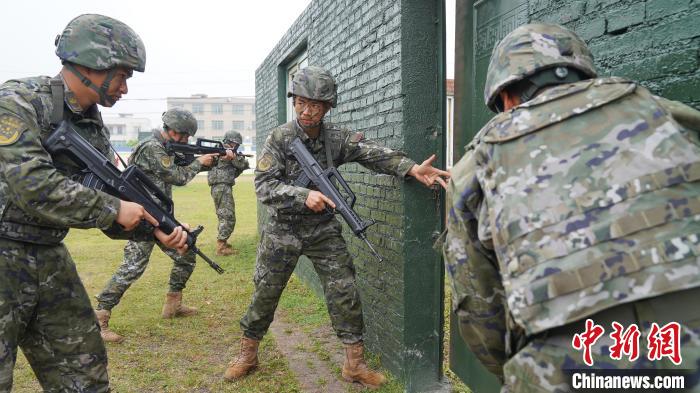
x,y
277,168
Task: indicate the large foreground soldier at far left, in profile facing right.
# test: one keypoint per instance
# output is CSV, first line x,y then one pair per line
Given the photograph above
x,y
44,308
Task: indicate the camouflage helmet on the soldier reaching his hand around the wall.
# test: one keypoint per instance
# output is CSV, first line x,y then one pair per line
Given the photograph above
x,y
314,83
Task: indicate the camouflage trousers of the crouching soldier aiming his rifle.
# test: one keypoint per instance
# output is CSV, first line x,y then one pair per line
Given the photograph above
x,y
136,256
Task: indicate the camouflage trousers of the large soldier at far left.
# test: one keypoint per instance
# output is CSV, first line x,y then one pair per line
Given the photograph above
x,y
45,311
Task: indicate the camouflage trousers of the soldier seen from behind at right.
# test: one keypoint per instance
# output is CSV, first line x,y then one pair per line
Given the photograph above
x,y
548,361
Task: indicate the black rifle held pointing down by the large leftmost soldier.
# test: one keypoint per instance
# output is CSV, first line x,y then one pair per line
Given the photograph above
x,y
131,185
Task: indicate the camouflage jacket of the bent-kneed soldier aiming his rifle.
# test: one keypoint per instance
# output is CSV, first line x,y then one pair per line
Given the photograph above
x,y
151,156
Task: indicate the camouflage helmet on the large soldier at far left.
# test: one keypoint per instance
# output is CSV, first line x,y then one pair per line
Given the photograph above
x,y
101,43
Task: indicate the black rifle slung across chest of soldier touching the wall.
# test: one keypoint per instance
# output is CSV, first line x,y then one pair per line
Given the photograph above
x,y
323,180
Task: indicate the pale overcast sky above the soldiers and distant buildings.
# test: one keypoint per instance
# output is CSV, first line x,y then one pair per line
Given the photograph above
x,y
203,46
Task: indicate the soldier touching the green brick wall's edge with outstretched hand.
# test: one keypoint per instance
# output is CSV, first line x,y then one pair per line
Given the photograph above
x,y
299,224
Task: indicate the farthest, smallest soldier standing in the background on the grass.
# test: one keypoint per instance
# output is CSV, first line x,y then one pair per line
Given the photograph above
x,y
221,178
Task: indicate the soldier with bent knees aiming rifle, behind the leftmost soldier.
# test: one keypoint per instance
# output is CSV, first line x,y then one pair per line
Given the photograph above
x,y
153,159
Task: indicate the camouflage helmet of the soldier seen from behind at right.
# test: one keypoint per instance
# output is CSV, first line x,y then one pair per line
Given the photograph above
x,y
530,49
